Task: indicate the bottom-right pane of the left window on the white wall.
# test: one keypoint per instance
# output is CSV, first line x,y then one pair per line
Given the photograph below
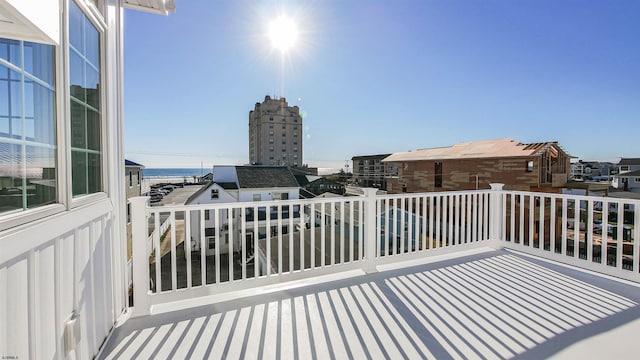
x,y
41,176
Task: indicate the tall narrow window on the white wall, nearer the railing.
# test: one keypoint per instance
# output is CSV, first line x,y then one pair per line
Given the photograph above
x,y
86,114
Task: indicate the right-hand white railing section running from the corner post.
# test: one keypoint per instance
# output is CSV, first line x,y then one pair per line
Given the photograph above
x,y
596,233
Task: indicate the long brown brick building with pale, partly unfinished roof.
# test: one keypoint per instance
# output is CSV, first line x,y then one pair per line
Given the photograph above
x,y
474,165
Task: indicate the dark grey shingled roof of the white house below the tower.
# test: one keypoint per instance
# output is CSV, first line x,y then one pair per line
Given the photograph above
x,y
265,177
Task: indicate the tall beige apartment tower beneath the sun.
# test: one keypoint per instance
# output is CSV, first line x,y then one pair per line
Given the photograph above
x,y
275,133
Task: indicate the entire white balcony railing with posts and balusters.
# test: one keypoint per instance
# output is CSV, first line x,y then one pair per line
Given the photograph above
x,y
210,249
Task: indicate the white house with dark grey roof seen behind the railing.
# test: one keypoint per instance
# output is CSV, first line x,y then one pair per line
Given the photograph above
x,y
243,184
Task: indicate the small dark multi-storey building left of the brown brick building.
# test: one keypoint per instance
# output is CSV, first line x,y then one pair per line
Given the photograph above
x,y
370,171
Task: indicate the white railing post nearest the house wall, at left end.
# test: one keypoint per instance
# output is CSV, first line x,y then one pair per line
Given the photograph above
x,y
140,258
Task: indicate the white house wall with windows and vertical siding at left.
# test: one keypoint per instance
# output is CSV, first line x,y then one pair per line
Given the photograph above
x,y
63,281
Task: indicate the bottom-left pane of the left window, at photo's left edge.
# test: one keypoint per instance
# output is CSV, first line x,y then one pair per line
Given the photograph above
x,y
11,192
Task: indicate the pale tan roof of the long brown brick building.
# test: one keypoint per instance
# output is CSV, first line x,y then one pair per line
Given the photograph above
x,y
477,149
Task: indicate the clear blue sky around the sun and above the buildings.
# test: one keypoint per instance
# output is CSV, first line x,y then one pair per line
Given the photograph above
x,y
381,76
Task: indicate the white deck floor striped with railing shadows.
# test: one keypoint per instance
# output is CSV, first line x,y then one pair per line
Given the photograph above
x,y
491,305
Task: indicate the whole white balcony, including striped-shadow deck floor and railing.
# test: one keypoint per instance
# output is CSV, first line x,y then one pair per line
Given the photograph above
x,y
474,274
